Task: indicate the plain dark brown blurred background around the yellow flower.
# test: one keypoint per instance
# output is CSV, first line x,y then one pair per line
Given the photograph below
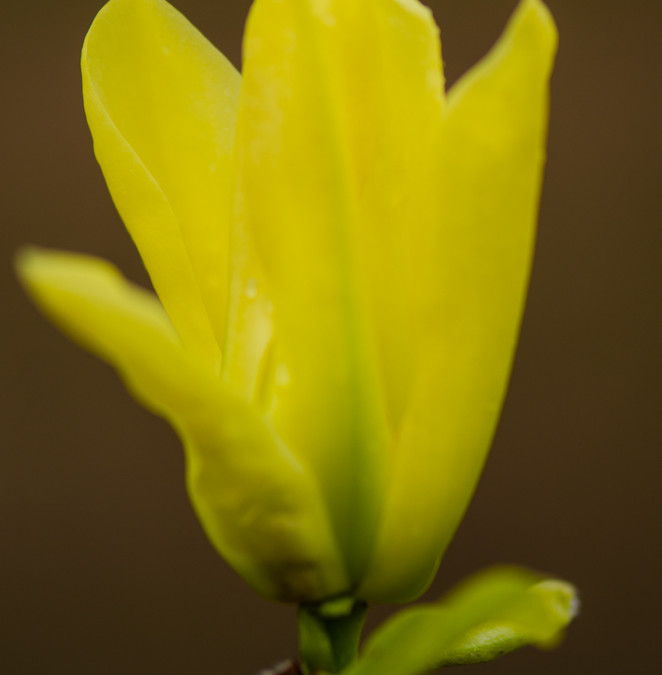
x,y
103,566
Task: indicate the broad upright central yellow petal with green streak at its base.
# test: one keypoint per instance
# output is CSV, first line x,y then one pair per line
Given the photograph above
x,y
337,101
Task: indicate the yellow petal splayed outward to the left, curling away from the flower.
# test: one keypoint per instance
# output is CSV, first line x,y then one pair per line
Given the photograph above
x,y
256,502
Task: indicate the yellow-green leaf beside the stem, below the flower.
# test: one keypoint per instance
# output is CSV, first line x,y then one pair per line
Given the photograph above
x,y
492,613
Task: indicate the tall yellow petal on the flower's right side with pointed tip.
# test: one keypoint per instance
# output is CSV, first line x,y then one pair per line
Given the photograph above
x,y
474,270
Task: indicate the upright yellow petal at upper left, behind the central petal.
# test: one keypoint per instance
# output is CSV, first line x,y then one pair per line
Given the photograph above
x,y
161,103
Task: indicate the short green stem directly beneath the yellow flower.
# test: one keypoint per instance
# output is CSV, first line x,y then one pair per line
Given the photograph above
x,y
329,634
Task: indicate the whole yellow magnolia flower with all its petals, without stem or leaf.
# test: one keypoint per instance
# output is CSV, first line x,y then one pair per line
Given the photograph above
x,y
340,252
